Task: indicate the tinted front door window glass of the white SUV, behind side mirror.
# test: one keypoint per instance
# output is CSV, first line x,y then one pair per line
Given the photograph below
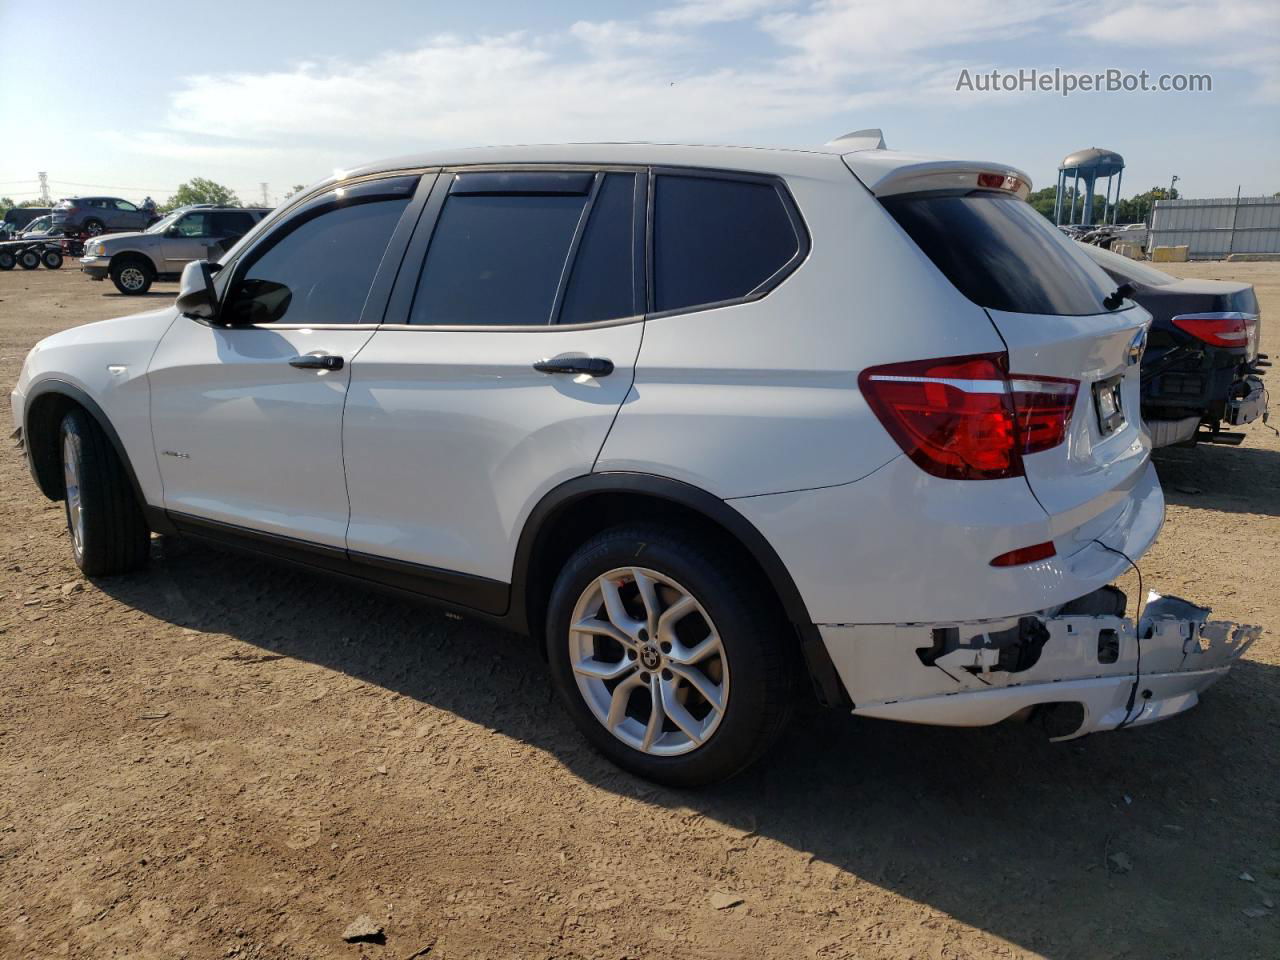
x,y
321,271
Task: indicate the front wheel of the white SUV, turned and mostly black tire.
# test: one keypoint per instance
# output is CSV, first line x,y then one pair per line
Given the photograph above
x,y
104,519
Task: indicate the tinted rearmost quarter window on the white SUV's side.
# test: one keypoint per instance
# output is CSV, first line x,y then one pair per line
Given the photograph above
x,y
717,240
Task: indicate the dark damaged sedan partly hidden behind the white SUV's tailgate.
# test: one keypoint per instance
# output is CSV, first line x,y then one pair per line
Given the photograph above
x,y
1203,369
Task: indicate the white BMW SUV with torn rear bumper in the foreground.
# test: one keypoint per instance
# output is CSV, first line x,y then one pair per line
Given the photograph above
x,y
701,420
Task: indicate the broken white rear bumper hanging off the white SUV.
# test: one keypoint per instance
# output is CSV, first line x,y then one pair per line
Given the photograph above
x,y
1104,670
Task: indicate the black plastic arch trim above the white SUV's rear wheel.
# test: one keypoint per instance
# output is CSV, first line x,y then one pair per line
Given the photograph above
x,y
578,510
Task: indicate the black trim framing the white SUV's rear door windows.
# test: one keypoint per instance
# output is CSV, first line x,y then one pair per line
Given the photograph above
x,y
401,303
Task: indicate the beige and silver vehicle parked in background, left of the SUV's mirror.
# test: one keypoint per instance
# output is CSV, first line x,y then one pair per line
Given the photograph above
x,y
136,260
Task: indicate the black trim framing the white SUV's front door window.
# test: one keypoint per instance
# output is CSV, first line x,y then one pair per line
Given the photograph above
x,y
323,203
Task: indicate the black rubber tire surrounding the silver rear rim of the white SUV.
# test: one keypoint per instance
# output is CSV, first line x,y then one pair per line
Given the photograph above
x,y
753,636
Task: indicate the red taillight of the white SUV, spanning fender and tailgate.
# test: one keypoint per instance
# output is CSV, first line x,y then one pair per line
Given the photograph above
x,y
967,418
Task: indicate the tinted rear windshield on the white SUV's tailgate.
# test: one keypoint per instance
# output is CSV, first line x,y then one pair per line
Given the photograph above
x,y
1002,254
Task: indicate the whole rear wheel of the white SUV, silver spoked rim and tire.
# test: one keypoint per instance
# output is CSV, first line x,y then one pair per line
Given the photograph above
x,y
669,655
